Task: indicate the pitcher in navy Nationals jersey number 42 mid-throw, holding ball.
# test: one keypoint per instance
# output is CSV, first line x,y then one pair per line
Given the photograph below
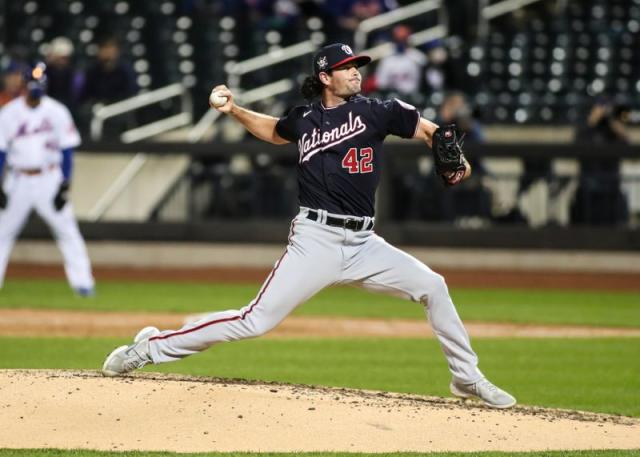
x,y
339,135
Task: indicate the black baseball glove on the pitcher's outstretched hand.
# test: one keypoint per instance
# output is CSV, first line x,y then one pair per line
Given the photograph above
x,y
447,154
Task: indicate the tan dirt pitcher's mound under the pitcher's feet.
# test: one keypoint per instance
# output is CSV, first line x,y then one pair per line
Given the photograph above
x,y
81,409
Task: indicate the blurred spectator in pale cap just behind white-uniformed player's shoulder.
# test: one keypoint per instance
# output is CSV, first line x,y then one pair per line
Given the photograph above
x,y
63,80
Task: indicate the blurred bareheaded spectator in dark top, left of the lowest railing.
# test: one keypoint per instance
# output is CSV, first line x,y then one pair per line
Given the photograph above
x,y
109,79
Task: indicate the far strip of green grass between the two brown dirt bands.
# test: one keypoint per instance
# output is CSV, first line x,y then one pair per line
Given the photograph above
x,y
597,308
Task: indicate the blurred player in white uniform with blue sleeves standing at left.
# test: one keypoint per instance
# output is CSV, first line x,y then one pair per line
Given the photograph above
x,y
37,137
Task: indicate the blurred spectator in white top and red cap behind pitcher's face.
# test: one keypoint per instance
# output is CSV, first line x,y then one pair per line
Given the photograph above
x,y
401,72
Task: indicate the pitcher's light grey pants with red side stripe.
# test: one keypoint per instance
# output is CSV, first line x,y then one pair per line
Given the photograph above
x,y
318,256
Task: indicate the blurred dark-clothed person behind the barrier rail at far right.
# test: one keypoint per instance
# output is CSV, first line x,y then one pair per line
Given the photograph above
x,y
599,199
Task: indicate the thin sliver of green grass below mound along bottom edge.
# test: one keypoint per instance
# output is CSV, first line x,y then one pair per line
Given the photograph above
x,y
79,453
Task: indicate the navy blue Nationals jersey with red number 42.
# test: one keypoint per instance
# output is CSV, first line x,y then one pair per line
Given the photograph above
x,y
340,150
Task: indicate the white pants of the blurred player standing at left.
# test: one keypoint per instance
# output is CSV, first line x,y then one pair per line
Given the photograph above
x,y
28,192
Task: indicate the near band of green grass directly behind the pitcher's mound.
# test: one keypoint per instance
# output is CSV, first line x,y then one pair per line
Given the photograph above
x,y
594,375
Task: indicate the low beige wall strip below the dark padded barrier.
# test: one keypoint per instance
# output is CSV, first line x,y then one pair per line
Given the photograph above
x,y
193,255
